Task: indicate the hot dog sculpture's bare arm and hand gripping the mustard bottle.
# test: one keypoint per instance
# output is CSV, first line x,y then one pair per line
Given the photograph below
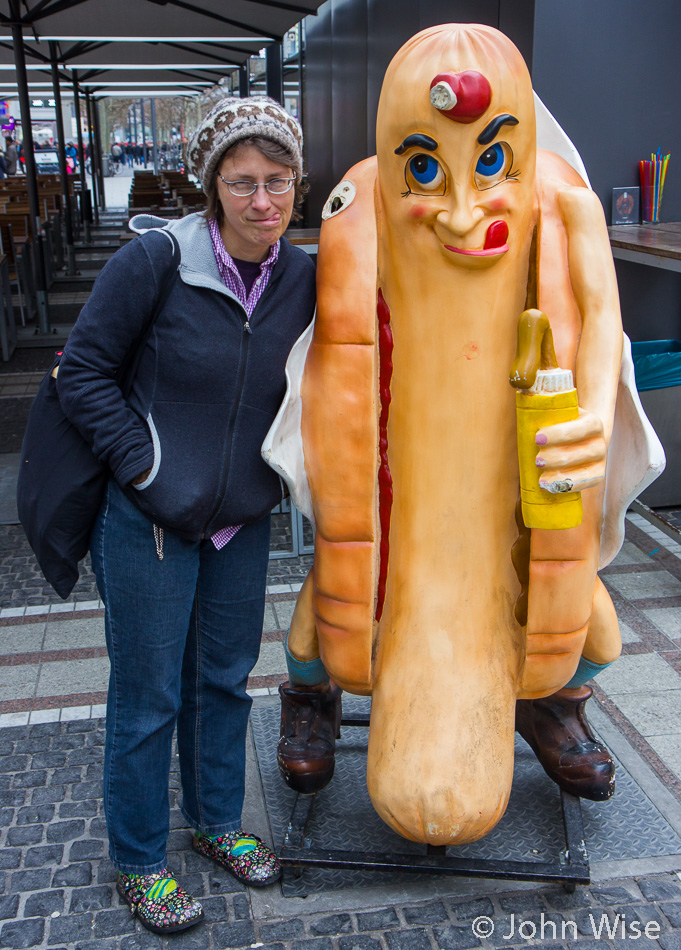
x,y
577,450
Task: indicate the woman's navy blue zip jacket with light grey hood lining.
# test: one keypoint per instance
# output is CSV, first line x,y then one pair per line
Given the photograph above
x,y
206,391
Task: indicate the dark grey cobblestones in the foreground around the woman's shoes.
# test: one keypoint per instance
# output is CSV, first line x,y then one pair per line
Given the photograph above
x,y
57,886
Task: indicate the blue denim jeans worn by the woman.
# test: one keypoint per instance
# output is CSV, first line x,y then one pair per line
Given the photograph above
x,y
182,633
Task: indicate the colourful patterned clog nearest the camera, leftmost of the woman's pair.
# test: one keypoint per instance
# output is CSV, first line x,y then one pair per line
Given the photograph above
x,y
159,902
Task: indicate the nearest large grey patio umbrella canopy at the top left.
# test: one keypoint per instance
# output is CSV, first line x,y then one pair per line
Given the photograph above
x,y
199,42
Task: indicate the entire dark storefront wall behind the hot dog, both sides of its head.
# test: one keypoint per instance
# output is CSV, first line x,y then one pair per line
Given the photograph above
x,y
607,69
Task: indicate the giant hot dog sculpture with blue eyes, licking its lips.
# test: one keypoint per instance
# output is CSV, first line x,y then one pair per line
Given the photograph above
x,y
426,590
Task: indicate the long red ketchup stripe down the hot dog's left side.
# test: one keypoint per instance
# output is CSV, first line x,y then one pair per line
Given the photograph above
x,y
385,482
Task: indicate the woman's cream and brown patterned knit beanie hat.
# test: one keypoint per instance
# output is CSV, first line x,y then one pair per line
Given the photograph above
x,y
232,120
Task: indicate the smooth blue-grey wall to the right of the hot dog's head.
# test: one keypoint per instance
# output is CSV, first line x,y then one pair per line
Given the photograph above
x,y
609,71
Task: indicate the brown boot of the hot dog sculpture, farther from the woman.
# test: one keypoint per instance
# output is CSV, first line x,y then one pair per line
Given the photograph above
x,y
560,736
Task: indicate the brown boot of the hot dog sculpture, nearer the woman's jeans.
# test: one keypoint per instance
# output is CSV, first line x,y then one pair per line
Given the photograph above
x,y
310,725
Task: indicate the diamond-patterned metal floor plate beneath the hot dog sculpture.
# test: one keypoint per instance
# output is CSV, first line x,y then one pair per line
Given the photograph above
x,y
343,819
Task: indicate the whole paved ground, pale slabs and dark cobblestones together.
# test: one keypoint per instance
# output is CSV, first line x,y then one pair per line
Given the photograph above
x,y
57,885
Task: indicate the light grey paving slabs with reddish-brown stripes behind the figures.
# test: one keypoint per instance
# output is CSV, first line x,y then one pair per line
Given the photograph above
x,y
52,653
